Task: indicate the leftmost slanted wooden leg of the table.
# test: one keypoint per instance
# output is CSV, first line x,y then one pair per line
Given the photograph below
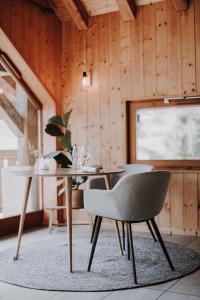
x,y
23,213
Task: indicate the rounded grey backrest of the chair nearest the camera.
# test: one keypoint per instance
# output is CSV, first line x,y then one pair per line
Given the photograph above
x,y
141,196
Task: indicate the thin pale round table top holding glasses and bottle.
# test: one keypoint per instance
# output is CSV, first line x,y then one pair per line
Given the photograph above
x,y
62,172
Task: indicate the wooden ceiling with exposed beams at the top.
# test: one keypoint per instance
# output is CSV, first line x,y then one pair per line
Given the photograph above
x,y
81,11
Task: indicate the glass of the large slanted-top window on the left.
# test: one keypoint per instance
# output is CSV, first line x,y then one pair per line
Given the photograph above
x,y
19,138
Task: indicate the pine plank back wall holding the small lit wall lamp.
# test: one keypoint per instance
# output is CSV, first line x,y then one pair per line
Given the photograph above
x,y
158,54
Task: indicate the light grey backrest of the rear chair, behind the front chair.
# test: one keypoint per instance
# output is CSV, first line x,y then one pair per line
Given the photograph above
x,y
130,169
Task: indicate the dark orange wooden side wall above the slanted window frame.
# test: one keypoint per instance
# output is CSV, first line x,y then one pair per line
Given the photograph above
x,y
37,37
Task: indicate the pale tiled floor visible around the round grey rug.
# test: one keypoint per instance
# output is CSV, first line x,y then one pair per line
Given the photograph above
x,y
187,288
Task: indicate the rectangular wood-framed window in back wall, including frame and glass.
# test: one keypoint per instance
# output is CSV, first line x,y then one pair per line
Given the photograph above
x,y
165,134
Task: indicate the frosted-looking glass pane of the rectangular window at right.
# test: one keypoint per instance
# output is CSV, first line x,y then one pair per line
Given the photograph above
x,y
169,133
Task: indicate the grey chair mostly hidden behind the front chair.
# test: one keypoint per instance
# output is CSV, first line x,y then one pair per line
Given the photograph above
x,y
99,183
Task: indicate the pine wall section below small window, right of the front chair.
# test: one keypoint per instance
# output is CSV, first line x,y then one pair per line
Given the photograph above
x,y
181,213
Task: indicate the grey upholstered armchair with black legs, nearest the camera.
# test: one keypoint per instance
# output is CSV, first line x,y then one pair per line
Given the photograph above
x,y
135,198
